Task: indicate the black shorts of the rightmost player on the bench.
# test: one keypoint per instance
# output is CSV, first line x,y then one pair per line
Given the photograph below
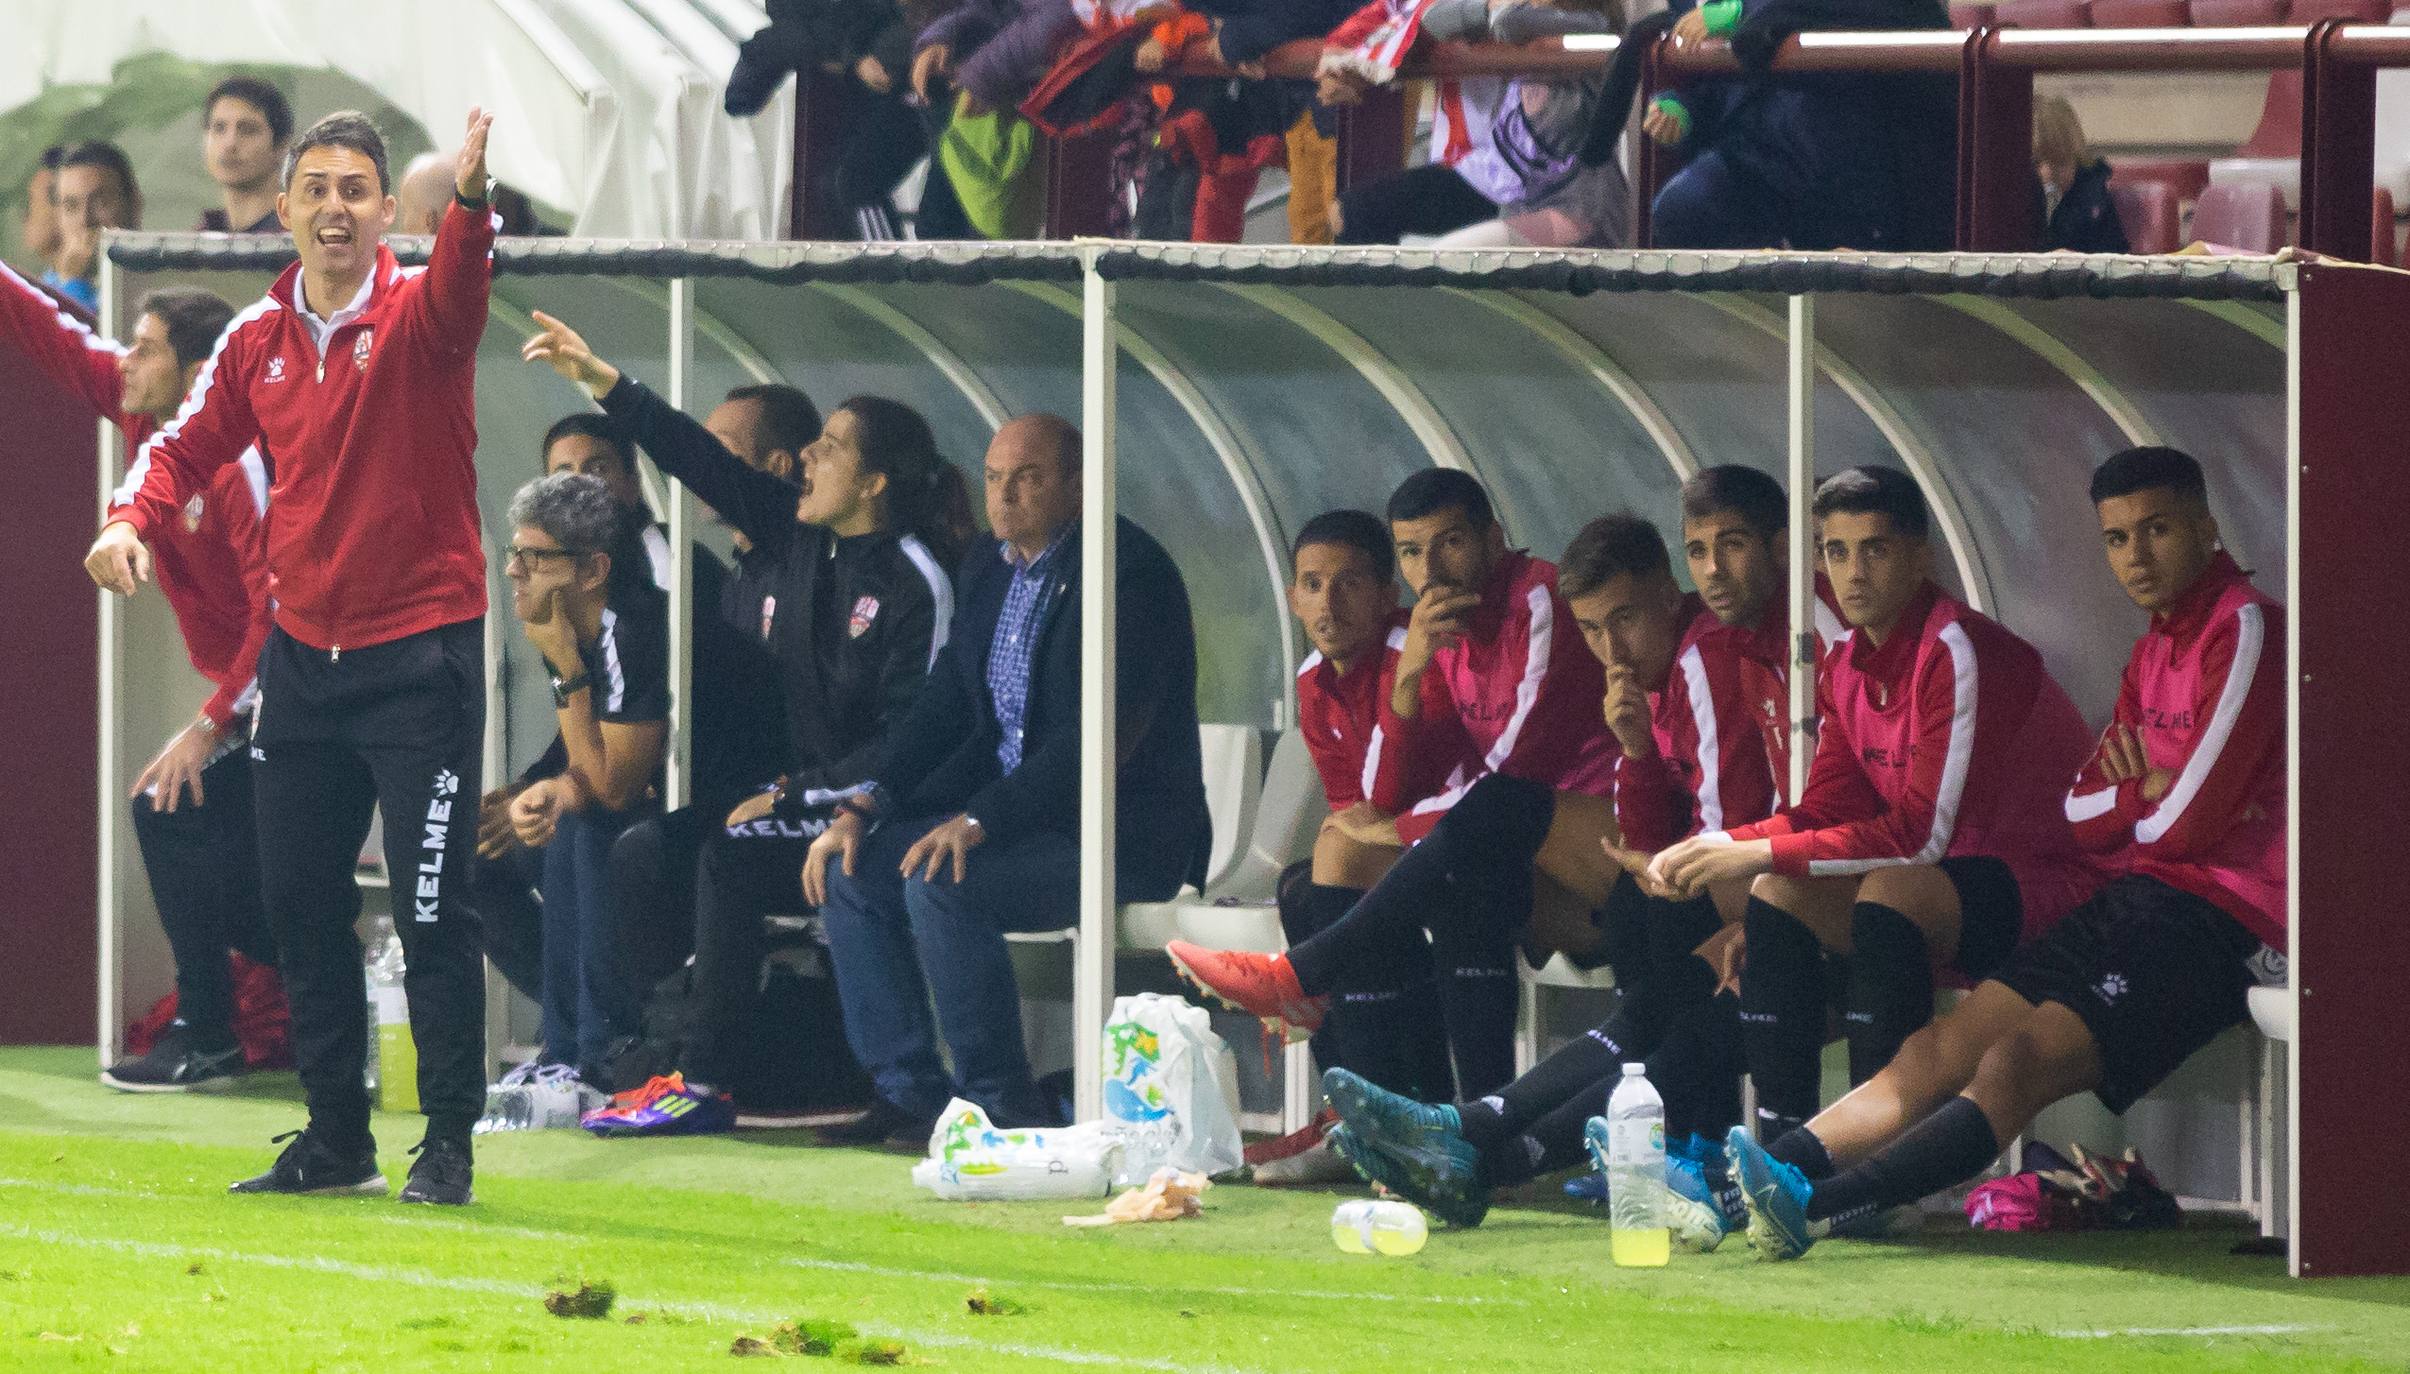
x,y
2151,970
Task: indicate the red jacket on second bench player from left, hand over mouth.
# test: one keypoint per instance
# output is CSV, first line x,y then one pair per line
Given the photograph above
x,y
1517,695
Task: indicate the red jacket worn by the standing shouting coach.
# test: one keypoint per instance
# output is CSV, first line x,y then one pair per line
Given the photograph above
x,y
372,517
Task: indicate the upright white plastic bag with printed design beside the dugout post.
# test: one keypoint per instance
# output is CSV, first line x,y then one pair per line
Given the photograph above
x,y
1172,1088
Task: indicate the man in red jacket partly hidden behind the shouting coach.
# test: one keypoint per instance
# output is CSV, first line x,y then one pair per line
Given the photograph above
x,y
192,804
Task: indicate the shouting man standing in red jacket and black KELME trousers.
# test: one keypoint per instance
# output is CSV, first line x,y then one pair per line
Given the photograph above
x,y
358,382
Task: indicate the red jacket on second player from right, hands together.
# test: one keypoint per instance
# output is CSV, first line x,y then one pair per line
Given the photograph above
x,y
1934,746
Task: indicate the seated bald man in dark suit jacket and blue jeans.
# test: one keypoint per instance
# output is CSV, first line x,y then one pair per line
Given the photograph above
x,y
970,821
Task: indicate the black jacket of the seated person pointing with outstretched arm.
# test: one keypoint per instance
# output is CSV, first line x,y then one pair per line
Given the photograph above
x,y
852,623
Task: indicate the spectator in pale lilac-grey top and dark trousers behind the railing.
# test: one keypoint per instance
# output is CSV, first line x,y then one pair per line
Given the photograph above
x,y
1510,172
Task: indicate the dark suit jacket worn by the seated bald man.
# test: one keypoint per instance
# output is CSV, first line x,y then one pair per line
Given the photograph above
x,y
944,758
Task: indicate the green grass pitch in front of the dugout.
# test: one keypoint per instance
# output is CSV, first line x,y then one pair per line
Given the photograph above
x,y
119,1250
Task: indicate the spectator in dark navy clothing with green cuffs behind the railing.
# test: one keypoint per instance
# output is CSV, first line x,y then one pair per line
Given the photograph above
x,y
1792,160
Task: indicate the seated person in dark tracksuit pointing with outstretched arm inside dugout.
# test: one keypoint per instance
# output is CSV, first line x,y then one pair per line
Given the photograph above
x,y
857,616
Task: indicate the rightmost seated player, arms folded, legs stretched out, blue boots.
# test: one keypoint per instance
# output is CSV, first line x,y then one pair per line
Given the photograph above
x,y
2185,799
